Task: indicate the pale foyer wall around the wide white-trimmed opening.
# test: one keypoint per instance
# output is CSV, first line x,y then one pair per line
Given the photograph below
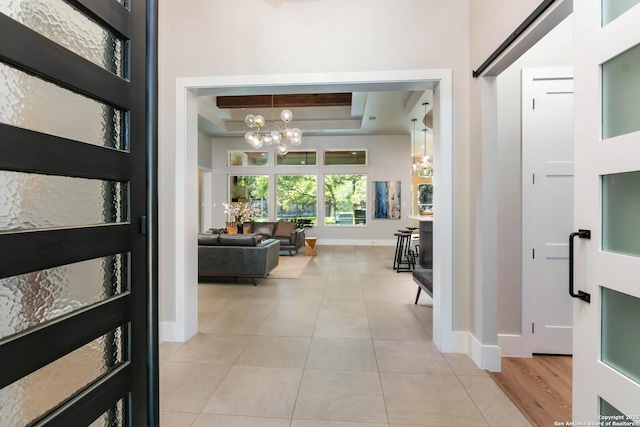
x,y
224,38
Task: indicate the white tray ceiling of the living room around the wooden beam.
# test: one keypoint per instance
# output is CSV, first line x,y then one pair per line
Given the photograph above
x,y
376,112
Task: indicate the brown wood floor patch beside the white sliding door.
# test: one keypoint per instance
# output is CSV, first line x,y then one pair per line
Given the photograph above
x,y
539,386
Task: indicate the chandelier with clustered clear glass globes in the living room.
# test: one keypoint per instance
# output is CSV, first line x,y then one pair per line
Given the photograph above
x,y
283,133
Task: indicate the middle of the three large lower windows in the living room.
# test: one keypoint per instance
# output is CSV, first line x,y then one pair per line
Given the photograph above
x,y
296,197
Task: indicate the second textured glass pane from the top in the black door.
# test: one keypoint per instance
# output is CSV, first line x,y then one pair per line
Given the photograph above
x,y
31,103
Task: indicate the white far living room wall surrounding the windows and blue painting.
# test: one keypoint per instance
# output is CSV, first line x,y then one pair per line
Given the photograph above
x,y
389,159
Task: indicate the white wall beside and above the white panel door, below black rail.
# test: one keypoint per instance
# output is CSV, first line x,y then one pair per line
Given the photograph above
x,y
554,50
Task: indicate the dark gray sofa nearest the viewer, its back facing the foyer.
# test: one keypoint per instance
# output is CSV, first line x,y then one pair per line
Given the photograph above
x,y
236,255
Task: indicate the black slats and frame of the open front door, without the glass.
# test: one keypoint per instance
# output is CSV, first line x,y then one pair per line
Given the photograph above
x,y
135,379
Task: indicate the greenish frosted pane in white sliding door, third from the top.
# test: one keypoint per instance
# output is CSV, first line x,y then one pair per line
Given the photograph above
x,y
620,213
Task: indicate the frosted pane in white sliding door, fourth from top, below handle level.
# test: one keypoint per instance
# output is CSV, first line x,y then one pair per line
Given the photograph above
x,y
620,343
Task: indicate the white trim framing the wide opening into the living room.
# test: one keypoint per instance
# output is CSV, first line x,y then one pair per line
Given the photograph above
x,y
185,161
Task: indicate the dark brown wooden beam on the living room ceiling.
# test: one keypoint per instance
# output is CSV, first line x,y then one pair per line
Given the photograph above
x,y
281,101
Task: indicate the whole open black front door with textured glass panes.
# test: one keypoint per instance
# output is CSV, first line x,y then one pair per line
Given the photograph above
x,y
78,288
